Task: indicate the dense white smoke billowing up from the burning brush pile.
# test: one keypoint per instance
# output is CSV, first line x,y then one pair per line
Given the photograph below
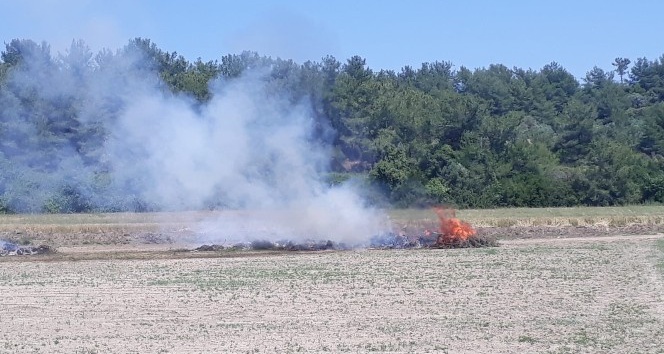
x,y
245,150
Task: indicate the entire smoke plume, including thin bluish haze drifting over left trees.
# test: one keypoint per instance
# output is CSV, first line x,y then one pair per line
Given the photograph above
x,y
248,151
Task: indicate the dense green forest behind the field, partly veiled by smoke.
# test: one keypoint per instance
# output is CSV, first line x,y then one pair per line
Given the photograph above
x,y
440,133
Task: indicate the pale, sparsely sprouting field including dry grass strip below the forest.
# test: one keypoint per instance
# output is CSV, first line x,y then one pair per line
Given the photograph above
x,y
562,281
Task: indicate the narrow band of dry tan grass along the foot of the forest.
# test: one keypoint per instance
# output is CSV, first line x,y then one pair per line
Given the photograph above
x,y
155,222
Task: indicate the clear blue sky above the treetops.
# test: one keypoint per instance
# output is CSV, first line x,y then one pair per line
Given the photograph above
x,y
389,34
